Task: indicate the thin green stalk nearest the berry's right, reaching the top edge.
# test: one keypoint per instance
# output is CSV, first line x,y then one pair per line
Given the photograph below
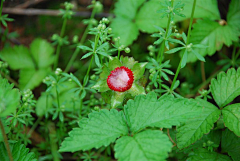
x,y
161,51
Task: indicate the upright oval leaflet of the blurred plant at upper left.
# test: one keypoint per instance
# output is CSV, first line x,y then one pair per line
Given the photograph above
x,y
42,52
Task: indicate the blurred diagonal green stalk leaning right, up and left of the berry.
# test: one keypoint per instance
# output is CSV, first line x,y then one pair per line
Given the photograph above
x,y
77,50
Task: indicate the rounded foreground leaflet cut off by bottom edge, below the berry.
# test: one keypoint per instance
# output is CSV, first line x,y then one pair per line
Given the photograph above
x,y
149,145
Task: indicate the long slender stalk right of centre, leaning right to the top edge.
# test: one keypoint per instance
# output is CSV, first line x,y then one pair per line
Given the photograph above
x,y
188,37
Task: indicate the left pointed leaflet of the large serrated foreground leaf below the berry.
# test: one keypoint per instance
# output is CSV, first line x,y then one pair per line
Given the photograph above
x,y
100,129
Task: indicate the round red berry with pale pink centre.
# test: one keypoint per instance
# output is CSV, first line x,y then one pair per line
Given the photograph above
x,y
120,79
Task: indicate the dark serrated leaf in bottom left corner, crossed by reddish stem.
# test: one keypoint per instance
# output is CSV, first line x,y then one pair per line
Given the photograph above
x,y
19,152
